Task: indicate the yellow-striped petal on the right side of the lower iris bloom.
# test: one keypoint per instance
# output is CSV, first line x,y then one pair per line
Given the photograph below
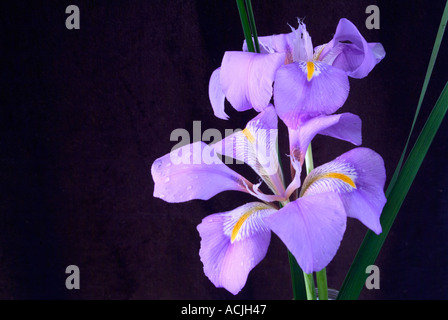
x,y
358,176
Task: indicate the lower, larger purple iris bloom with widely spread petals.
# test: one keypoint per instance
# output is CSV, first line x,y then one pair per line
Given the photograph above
x,y
312,226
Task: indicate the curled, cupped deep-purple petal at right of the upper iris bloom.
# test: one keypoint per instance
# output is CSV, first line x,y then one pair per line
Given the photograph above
x,y
349,51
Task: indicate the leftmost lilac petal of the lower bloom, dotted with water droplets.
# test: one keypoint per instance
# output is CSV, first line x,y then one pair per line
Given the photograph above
x,y
192,172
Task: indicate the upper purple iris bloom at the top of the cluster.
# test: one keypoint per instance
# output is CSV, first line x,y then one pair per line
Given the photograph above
x,y
307,82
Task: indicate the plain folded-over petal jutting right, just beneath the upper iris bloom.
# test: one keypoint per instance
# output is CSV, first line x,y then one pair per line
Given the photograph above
x,y
345,126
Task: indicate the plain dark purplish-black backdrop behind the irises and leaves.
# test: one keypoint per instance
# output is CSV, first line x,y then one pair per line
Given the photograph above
x,y
84,113
